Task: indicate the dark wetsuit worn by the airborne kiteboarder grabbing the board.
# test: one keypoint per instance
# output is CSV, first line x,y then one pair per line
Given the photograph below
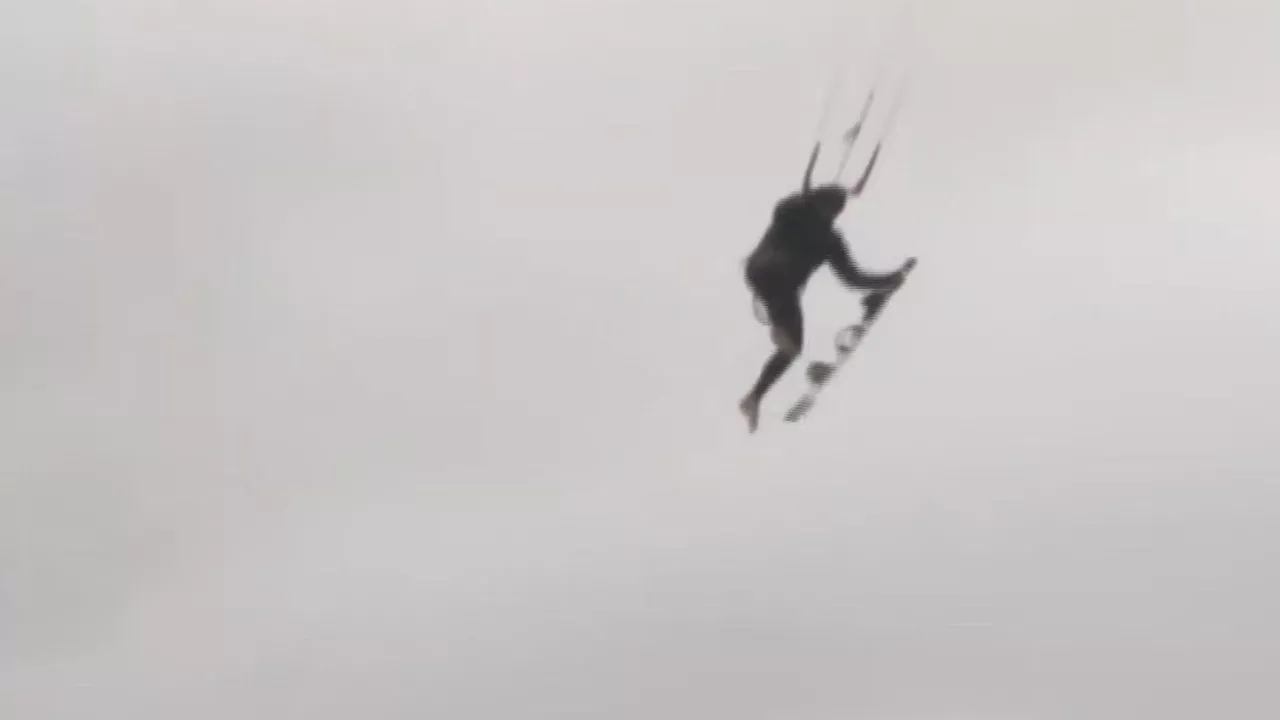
x,y
799,241
